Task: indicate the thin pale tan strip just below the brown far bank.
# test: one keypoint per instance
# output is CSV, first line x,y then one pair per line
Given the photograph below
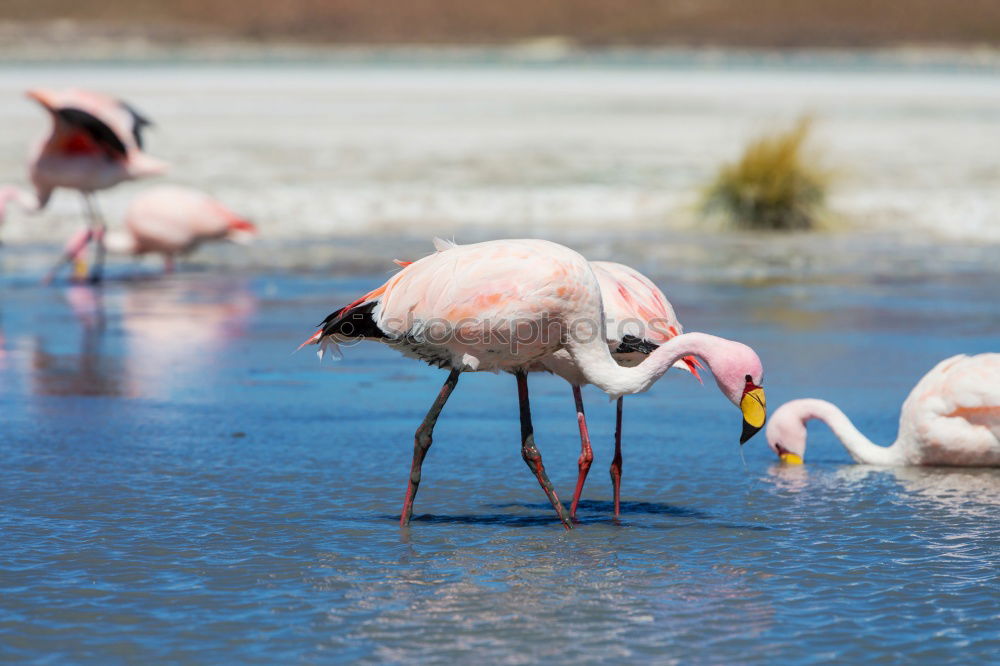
x,y
74,41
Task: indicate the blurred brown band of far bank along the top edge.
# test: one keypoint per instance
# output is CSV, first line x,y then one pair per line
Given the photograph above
x,y
586,23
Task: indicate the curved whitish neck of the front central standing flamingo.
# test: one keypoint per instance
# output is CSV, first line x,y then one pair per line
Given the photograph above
x,y
601,370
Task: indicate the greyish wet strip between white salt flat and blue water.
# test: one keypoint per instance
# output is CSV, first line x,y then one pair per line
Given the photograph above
x,y
723,258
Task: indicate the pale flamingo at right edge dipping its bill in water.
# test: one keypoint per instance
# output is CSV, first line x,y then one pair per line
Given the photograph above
x,y
951,417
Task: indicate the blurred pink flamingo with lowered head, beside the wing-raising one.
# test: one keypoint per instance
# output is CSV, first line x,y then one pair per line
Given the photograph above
x,y
169,220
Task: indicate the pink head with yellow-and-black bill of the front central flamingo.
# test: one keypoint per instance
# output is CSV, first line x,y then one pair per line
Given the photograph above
x,y
739,374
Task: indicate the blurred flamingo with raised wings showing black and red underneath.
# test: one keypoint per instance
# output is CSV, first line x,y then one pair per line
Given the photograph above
x,y
95,143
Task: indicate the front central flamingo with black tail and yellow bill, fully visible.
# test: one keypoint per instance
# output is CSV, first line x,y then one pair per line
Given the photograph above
x,y
504,306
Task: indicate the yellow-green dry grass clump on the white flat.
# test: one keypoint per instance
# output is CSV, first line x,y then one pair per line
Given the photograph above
x,y
773,185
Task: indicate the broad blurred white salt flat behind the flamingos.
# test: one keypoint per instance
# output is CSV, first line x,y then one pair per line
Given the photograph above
x,y
340,149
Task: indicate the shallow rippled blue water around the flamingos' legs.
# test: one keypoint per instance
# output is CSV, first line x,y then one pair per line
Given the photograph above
x,y
178,486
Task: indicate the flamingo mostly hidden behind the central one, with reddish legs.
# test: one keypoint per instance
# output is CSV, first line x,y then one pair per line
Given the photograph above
x,y
638,319
